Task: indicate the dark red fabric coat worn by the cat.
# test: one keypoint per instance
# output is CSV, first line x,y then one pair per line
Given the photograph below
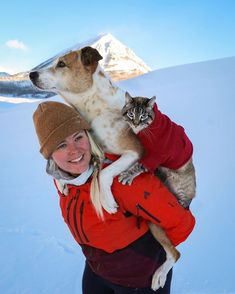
x,y
165,143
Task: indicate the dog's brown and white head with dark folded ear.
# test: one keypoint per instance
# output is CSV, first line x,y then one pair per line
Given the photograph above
x,y
71,72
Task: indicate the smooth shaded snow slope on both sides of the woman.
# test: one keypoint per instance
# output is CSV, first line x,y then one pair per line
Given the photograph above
x,y
38,254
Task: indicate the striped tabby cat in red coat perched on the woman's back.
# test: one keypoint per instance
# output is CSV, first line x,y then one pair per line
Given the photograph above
x,y
168,149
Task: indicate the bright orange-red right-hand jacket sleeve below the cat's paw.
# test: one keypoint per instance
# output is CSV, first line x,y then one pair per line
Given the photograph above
x,y
148,198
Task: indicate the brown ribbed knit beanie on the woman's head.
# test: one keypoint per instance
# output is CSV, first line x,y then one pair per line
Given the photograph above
x,y
54,122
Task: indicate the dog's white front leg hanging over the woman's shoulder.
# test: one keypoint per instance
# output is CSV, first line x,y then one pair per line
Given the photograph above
x,y
106,179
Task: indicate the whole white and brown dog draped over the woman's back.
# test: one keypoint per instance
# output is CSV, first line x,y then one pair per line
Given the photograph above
x,y
78,78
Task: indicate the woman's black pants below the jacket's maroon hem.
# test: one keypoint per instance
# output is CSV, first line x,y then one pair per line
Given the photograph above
x,y
93,284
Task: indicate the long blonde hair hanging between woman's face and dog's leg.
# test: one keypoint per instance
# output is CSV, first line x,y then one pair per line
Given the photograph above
x,y
97,160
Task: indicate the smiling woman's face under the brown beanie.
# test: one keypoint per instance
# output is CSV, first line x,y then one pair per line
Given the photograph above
x,y
73,155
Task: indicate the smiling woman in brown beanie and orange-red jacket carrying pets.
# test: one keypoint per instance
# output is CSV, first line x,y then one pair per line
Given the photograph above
x,y
121,254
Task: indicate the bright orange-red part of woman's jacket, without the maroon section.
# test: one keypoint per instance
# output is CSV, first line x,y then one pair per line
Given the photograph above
x,y
147,199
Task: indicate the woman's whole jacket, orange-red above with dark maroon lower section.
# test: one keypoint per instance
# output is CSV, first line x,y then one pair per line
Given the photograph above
x,y
121,249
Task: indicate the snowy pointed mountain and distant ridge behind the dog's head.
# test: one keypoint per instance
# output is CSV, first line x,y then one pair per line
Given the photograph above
x,y
119,62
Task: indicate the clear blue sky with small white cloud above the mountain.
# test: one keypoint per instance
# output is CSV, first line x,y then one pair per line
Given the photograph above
x,y
163,33
